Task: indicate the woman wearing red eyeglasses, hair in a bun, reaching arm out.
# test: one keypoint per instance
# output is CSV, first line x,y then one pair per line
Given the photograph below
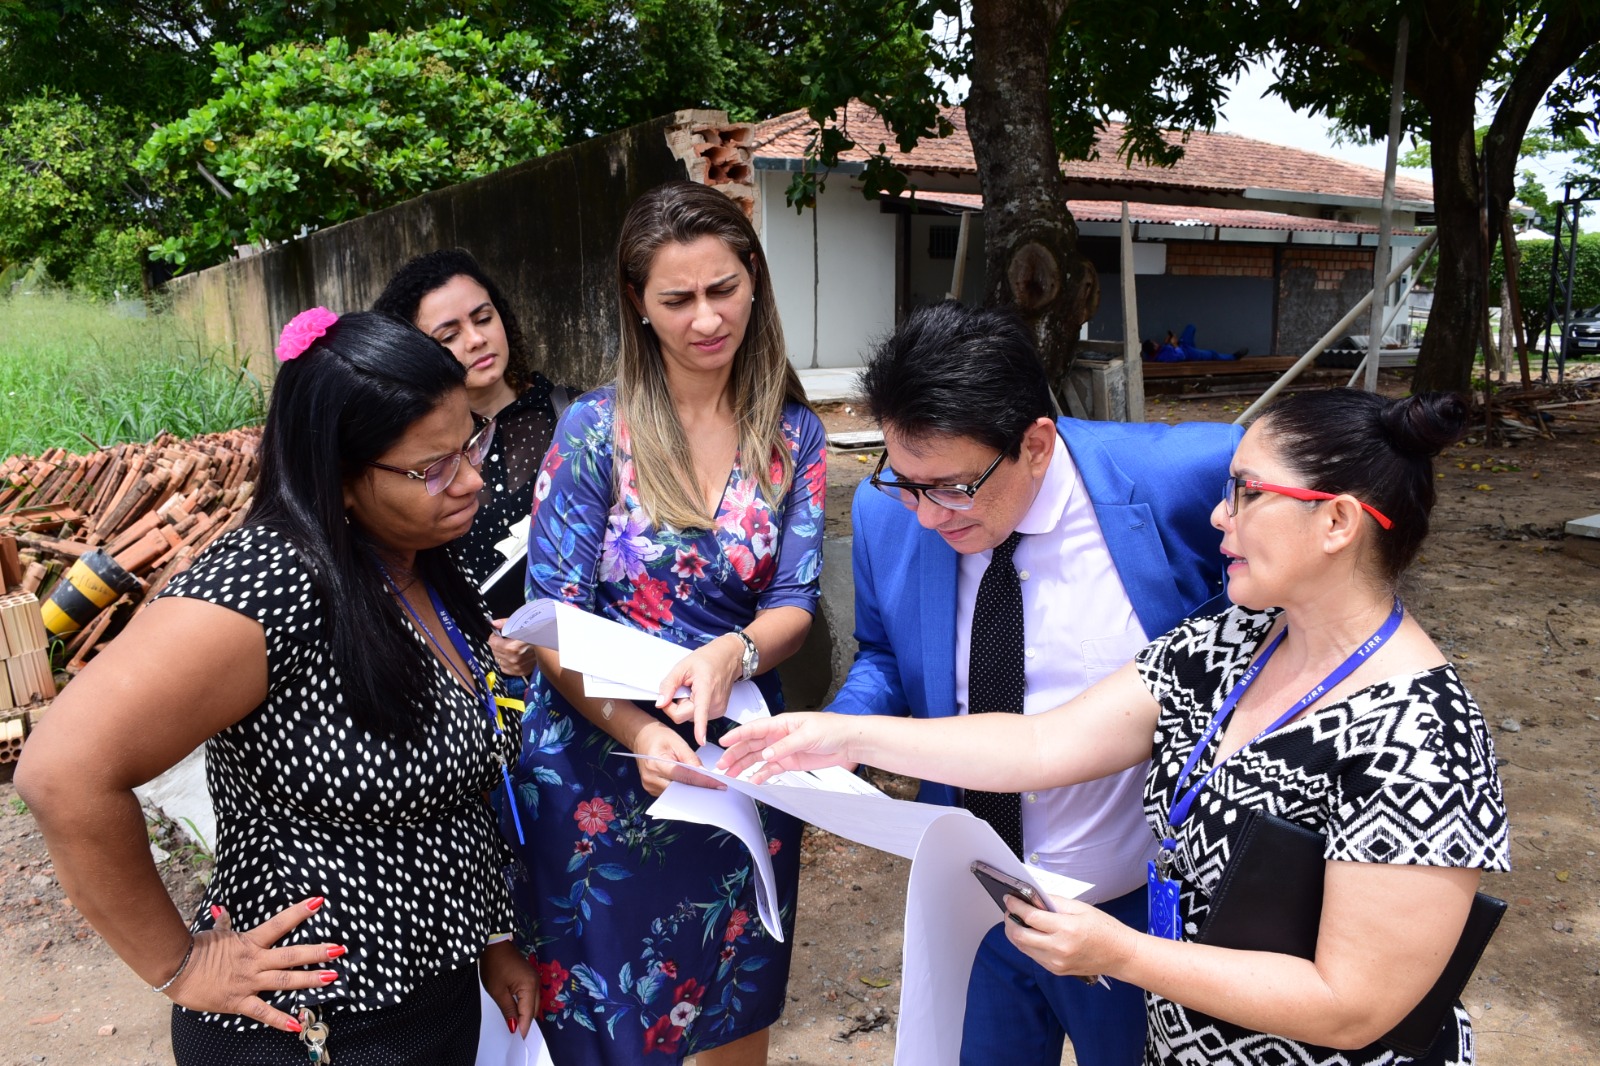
x,y
1316,700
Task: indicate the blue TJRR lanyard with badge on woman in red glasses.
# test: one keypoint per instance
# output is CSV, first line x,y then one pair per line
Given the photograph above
x,y
1164,891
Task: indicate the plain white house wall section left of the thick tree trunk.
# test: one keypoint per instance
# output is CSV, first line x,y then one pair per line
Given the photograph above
x,y
854,278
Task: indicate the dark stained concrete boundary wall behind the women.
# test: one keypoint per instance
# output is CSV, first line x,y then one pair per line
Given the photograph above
x,y
545,231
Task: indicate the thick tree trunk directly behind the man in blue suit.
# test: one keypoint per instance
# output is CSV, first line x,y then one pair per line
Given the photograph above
x,y
1031,242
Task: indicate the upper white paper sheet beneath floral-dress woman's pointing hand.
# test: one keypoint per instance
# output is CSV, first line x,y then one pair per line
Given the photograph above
x,y
617,662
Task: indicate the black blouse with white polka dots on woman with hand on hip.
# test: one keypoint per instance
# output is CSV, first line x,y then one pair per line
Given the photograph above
x,y
394,835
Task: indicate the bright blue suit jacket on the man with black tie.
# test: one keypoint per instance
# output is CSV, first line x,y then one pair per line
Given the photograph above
x,y
1153,487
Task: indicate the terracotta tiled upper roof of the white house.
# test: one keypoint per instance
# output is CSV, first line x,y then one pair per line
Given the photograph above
x,y
1212,161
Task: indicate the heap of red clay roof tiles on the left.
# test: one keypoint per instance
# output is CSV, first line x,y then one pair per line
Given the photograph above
x,y
151,507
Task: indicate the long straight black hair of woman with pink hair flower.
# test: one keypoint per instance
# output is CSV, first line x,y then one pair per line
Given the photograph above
x,y
343,403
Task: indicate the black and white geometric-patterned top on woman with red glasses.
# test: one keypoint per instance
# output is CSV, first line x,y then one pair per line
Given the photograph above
x,y
1399,772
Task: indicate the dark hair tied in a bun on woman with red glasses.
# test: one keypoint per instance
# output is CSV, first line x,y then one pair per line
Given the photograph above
x,y
1378,451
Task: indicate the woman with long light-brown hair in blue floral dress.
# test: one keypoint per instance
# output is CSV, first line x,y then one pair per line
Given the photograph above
x,y
684,500
